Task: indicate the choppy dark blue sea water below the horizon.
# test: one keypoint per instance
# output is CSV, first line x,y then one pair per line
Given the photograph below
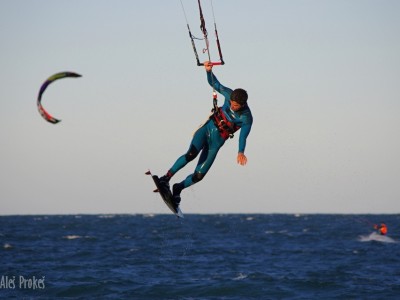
x,y
258,256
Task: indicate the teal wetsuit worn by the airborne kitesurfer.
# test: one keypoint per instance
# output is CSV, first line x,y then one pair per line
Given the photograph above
x,y
208,139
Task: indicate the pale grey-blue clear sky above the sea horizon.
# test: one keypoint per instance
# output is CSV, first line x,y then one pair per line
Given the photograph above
x,y
323,79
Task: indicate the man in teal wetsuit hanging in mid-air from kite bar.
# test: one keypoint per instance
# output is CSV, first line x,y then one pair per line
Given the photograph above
x,y
210,137
